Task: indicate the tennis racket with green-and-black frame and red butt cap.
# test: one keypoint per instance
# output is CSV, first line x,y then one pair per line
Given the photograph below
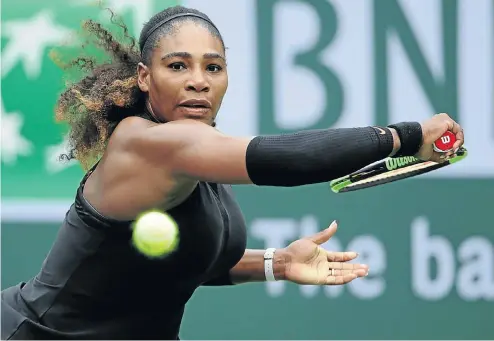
x,y
393,169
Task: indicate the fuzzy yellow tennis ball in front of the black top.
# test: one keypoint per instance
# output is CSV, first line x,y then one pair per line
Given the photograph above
x,y
155,234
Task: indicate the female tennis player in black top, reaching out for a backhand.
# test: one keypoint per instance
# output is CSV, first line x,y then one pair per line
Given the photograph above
x,y
143,126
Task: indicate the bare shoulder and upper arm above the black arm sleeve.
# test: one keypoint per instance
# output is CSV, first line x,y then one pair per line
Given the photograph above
x,y
185,148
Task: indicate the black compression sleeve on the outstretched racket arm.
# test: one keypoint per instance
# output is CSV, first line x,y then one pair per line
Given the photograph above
x,y
315,156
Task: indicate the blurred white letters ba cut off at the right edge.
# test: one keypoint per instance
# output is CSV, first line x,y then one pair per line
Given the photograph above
x,y
475,278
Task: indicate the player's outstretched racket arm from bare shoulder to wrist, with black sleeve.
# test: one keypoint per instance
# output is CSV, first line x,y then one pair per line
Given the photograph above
x,y
194,150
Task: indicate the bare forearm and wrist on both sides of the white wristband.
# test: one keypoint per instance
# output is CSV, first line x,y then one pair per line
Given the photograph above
x,y
251,267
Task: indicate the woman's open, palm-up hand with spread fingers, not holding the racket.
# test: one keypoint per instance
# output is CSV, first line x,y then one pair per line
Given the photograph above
x,y
312,264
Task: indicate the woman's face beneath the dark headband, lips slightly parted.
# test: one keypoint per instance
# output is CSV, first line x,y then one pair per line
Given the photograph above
x,y
187,77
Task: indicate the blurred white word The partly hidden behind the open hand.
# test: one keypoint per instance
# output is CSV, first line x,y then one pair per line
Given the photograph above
x,y
280,232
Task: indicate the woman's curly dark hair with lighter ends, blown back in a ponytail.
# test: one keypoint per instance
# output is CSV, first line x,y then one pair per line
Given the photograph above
x,y
107,92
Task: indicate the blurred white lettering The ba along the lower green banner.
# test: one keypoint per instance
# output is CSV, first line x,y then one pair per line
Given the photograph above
x,y
472,274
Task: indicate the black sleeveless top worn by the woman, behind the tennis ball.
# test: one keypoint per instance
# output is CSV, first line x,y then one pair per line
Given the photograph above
x,y
94,285
